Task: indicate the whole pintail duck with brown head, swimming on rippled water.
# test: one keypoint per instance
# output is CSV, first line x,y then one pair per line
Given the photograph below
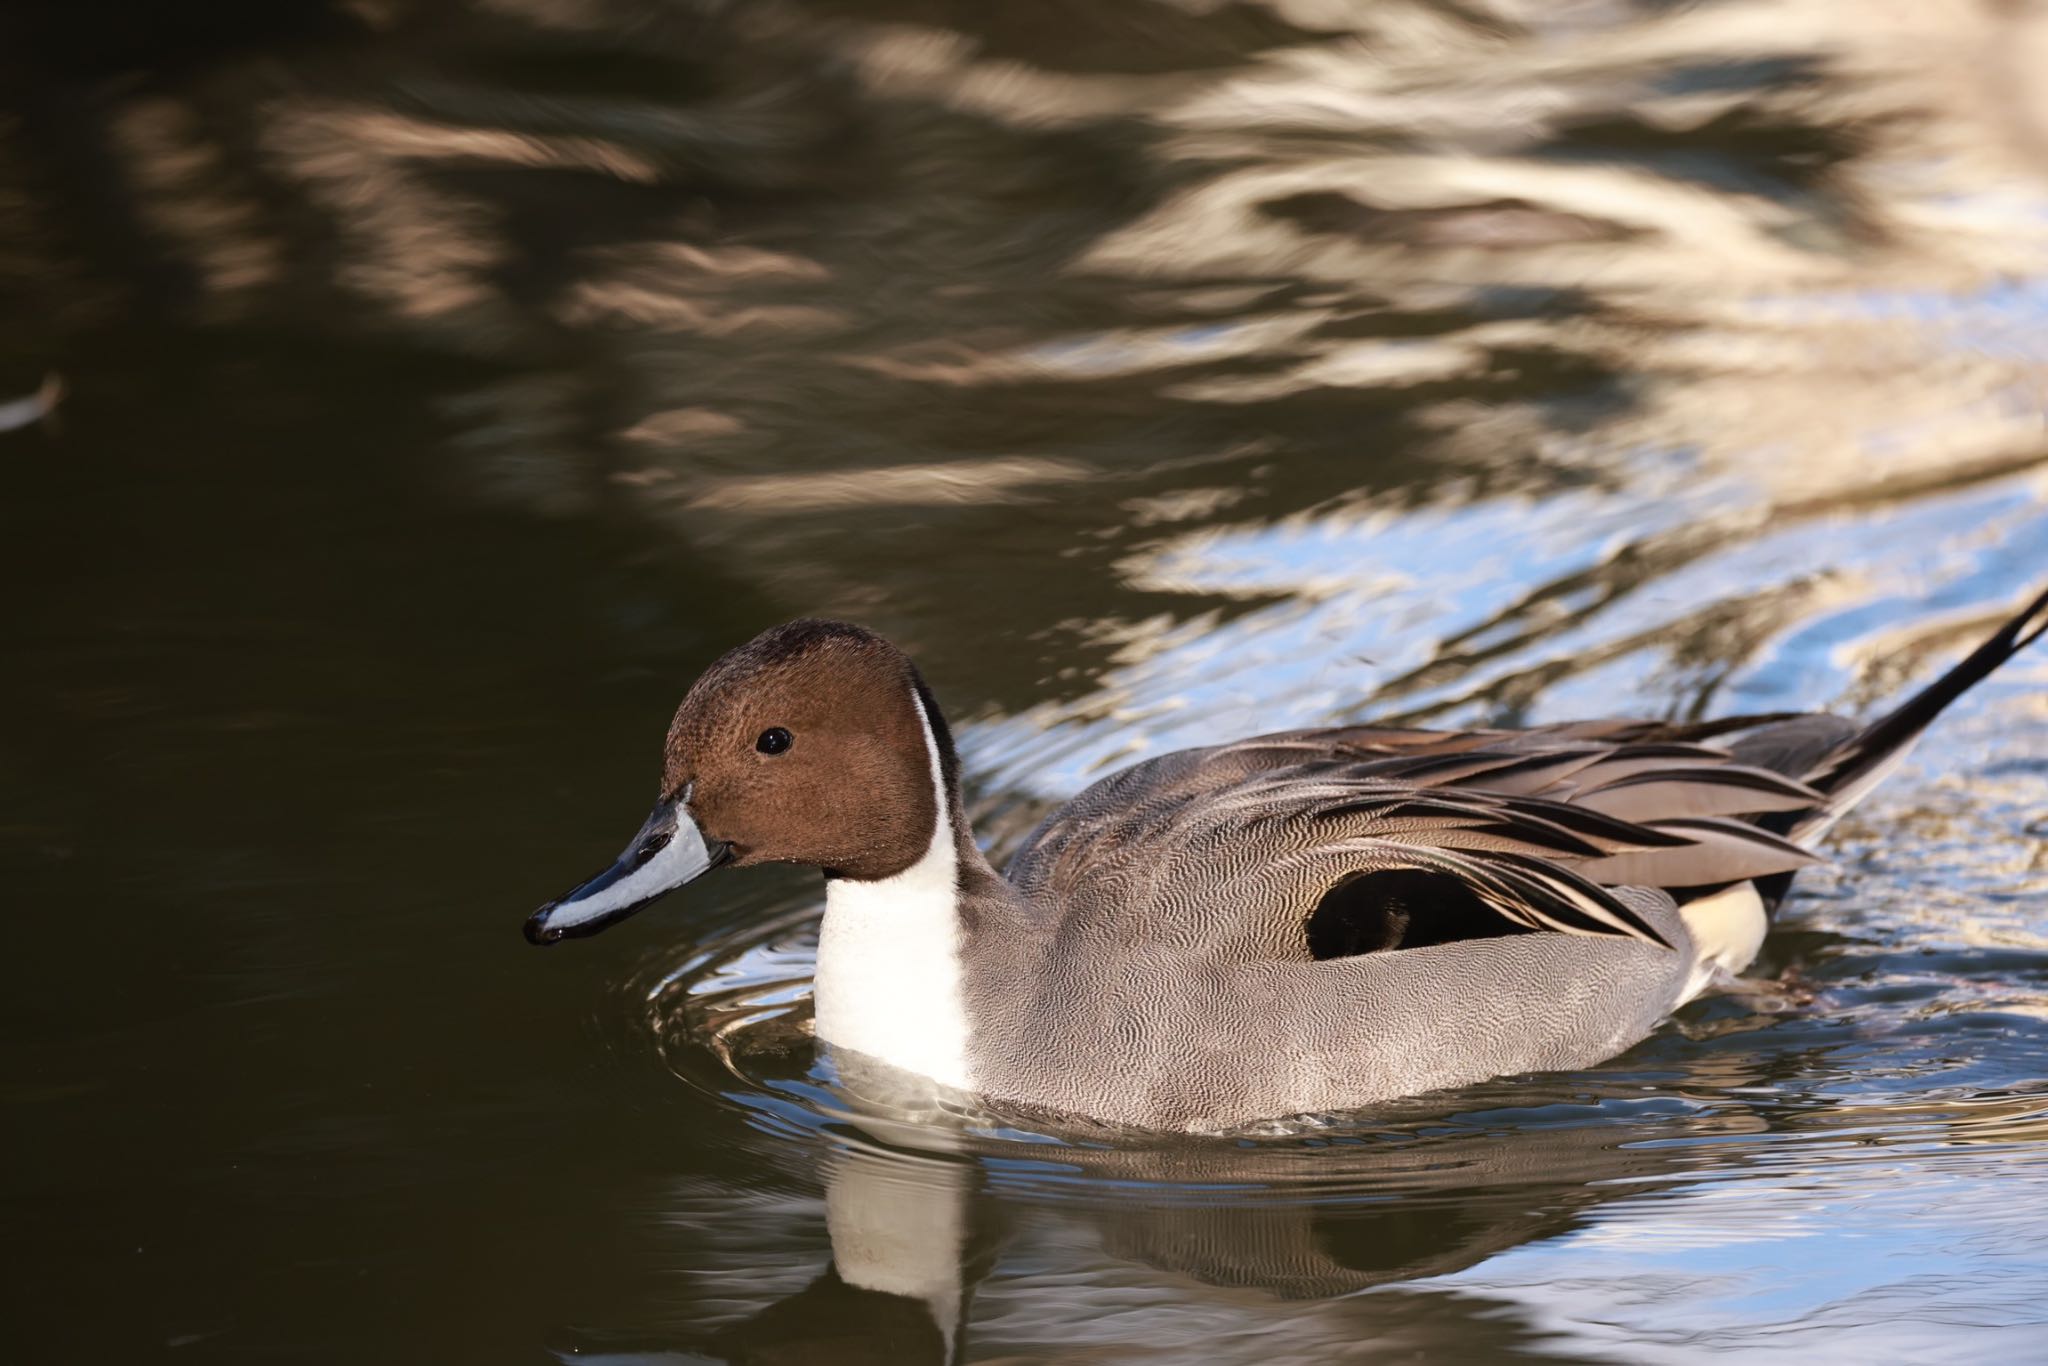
x,y
1291,925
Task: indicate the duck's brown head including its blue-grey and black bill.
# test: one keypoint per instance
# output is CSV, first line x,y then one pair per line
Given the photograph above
x,y
812,744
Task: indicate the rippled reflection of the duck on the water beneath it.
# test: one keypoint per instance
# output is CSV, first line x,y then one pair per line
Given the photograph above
x,y
943,1256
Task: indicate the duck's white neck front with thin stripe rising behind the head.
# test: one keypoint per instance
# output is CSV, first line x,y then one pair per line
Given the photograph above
x,y
890,955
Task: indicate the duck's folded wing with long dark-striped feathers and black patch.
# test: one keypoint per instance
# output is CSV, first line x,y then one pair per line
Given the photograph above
x,y
1328,843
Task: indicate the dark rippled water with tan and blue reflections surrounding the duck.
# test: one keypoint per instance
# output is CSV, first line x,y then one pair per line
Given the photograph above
x,y
443,386
